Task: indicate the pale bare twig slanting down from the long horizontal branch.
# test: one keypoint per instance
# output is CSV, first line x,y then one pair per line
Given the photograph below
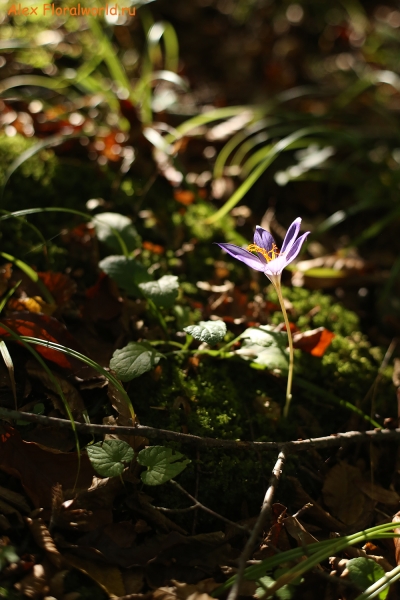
x,y
259,526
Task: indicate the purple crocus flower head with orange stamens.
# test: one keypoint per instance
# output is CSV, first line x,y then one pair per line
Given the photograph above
x,y
263,255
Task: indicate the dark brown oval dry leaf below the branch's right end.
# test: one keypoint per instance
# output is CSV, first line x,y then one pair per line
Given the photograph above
x,y
341,494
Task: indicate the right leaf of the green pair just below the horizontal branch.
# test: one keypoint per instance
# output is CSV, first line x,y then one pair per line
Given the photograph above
x,y
162,464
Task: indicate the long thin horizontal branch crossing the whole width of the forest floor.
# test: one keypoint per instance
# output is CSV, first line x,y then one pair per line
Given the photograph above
x,y
329,441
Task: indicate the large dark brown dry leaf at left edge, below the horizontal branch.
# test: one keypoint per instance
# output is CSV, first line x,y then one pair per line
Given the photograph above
x,y
39,469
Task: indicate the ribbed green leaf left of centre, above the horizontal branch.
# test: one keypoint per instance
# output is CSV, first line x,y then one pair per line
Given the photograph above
x,y
134,360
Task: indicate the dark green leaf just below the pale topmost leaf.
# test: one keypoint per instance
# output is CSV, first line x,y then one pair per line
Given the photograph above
x,y
126,272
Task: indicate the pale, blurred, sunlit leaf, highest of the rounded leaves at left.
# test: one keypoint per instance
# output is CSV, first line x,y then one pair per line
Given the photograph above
x,y
106,224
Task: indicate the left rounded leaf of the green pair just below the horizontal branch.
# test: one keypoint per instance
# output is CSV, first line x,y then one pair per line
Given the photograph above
x,y
108,458
